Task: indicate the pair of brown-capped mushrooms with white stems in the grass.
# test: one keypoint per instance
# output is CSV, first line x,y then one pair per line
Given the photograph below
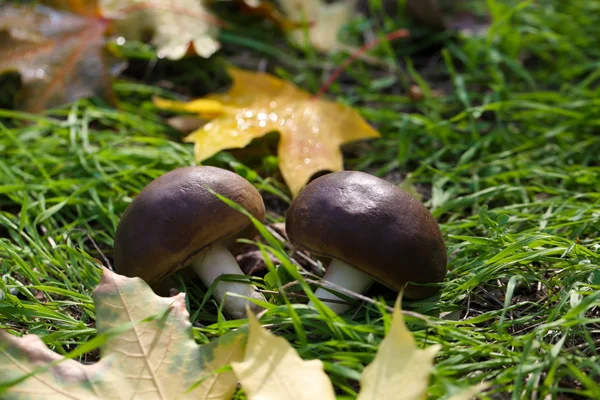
x,y
370,229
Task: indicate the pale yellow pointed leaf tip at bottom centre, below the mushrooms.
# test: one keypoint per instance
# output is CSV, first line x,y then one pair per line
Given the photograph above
x,y
272,370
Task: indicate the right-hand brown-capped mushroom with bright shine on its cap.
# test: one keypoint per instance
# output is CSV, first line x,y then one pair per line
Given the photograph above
x,y
372,230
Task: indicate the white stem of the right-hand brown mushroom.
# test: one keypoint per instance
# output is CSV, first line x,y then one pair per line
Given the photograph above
x,y
341,274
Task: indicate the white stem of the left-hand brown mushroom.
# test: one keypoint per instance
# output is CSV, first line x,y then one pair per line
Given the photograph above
x,y
218,261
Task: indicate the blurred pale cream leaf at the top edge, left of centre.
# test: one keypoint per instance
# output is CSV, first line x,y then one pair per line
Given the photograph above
x,y
174,25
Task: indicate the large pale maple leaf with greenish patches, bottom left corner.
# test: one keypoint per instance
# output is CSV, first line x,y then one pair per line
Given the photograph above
x,y
153,357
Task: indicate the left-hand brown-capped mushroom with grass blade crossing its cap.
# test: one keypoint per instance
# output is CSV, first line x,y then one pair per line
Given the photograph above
x,y
177,222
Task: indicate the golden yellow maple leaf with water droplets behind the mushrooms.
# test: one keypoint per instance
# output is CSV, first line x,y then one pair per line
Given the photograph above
x,y
311,129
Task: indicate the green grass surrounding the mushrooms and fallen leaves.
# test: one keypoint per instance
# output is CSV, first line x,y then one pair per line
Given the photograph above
x,y
507,158
